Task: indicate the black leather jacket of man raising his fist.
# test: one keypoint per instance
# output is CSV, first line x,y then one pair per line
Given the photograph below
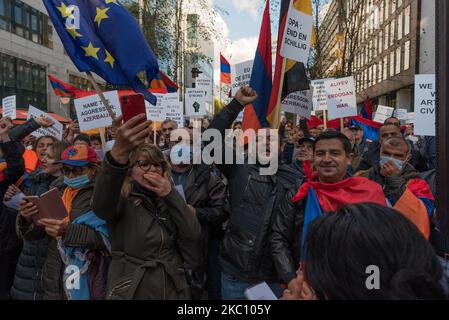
x,y
245,251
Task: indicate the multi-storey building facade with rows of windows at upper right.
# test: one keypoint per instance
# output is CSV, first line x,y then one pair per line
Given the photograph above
x,y
395,39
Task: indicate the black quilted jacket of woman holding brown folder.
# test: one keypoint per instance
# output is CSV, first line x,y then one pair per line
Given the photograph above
x,y
27,280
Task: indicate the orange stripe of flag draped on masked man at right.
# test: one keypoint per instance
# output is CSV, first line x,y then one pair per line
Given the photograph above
x,y
415,210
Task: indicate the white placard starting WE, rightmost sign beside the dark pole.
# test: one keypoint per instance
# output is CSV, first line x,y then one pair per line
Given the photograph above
x,y
425,93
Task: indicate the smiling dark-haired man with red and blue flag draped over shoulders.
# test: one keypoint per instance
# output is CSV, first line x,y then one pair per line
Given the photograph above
x,y
330,190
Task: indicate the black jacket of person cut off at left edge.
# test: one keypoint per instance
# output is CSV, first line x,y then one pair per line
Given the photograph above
x,y
8,240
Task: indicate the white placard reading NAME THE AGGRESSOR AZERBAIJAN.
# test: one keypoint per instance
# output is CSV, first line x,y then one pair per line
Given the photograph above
x,y
92,114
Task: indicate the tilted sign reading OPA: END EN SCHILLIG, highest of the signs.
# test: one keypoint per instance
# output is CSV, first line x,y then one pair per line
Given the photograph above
x,y
297,35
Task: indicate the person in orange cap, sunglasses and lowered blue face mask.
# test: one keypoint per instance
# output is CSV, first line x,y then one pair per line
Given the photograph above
x,y
79,169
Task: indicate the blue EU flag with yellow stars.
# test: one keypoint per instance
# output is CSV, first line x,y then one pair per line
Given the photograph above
x,y
103,37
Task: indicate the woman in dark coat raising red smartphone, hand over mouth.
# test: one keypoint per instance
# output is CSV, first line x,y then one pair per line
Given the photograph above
x,y
147,219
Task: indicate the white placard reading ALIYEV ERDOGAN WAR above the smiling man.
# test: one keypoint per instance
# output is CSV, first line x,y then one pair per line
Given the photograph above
x,y
341,98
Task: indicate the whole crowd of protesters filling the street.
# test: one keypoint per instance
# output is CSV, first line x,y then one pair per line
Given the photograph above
x,y
142,226
